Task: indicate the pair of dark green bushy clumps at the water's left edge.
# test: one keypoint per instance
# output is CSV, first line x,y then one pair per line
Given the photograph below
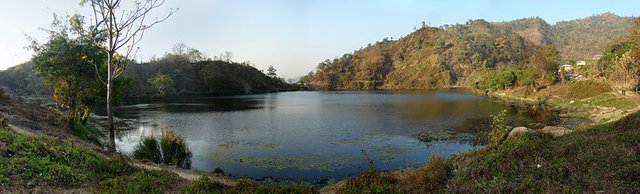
x,y
171,150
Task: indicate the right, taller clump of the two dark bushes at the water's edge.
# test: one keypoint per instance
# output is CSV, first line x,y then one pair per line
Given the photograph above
x,y
175,150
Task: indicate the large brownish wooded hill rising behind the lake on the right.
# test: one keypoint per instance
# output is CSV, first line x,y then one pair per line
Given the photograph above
x,y
450,55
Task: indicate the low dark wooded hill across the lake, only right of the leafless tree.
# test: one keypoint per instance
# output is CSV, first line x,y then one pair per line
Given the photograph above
x,y
207,77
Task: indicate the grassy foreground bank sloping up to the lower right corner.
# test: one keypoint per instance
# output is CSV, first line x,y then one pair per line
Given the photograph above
x,y
605,157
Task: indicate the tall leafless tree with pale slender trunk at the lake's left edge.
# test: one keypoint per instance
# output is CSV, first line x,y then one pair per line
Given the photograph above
x,y
118,29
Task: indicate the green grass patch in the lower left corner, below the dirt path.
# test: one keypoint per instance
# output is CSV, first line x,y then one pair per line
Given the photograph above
x,y
27,162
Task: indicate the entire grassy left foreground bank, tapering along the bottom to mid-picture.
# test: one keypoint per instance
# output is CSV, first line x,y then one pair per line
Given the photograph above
x,y
43,163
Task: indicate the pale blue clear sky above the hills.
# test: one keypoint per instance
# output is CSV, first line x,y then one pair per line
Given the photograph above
x,y
291,35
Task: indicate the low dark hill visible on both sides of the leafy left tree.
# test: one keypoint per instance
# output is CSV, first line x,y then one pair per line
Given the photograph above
x,y
185,78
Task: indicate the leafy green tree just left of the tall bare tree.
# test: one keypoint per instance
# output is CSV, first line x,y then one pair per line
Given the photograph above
x,y
66,65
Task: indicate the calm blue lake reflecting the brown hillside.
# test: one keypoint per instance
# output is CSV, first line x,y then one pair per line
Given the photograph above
x,y
311,136
